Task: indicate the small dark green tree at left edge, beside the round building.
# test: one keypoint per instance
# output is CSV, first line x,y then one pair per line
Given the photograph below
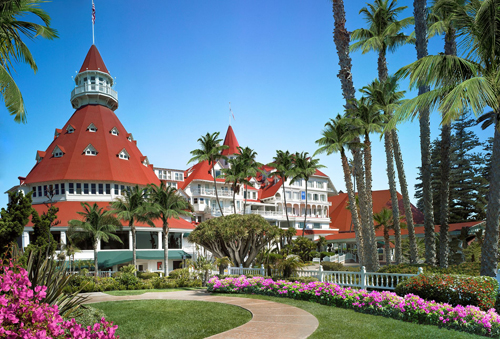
x,y
14,218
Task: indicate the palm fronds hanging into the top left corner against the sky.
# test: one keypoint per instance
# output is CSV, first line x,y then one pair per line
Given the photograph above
x,y
14,50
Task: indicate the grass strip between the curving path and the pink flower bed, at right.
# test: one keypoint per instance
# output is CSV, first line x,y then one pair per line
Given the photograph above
x,y
337,322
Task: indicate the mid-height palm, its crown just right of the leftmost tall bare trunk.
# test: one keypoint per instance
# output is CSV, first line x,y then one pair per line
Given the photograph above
x,y
369,120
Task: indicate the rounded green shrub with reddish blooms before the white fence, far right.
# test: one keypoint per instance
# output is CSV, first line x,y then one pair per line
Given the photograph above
x,y
453,289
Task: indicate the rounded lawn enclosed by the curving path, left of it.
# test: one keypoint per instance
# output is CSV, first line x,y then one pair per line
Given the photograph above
x,y
172,318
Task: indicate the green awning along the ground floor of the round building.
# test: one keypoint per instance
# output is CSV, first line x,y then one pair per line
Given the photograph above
x,y
111,258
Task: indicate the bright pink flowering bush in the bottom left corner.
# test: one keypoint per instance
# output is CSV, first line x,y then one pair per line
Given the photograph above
x,y
23,315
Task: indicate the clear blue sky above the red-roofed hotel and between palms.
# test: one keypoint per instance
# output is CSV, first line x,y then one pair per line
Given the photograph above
x,y
177,65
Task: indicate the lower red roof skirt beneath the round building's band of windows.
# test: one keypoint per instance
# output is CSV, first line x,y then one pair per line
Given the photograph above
x,y
68,210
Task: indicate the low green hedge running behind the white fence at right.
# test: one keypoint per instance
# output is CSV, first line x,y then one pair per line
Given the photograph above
x,y
466,268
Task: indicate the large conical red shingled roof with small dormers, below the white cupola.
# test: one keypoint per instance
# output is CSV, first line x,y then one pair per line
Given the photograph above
x,y
105,166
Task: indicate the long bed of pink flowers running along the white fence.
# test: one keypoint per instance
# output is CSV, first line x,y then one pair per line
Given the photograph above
x,y
409,308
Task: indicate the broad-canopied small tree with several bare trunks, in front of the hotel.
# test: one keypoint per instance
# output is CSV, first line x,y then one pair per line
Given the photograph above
x,y
239,237
